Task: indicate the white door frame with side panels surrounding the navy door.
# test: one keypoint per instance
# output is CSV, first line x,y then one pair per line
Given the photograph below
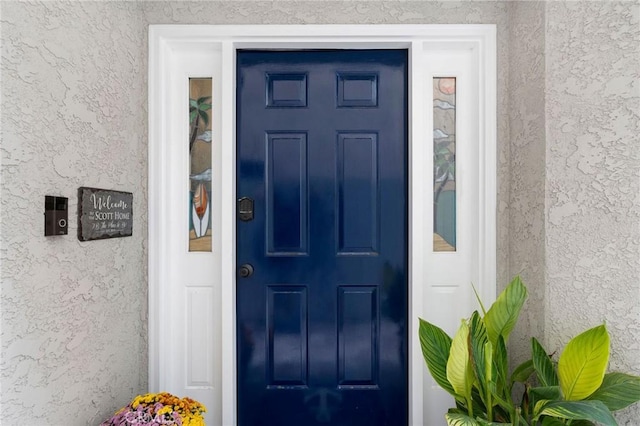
x,y
192,335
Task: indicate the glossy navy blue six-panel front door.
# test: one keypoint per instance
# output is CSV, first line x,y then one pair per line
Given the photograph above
x,y
322,252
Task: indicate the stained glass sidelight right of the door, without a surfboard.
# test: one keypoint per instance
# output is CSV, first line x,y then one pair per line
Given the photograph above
x,y
444,164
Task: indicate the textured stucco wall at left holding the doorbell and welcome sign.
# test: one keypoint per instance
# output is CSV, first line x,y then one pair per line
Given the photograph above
x,y
73,114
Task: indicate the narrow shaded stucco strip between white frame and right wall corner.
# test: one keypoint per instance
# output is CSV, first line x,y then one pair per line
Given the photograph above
x,y
526,182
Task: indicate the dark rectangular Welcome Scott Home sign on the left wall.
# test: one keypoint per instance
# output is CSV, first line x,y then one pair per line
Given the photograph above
x,y
103,213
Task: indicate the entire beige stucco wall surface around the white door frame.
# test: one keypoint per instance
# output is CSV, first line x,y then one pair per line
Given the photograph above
x,y
74,113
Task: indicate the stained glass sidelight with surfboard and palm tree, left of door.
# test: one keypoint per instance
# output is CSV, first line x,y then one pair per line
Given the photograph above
x,y
200,139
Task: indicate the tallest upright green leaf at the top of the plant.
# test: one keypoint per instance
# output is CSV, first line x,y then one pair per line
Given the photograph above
x,y
503,314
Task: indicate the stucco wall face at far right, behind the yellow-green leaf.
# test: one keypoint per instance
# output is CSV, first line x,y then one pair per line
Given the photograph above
x,y
593,183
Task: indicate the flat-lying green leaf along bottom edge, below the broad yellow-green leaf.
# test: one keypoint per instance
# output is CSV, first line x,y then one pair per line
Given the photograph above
x,y
576,410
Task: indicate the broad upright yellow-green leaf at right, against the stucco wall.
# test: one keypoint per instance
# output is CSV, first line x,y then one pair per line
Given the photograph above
x,y
583,362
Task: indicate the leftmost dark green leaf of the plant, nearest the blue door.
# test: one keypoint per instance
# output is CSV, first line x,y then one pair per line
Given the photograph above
x,y
436,344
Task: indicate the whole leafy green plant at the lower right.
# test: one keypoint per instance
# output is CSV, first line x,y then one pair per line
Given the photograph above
x,y
472,367
